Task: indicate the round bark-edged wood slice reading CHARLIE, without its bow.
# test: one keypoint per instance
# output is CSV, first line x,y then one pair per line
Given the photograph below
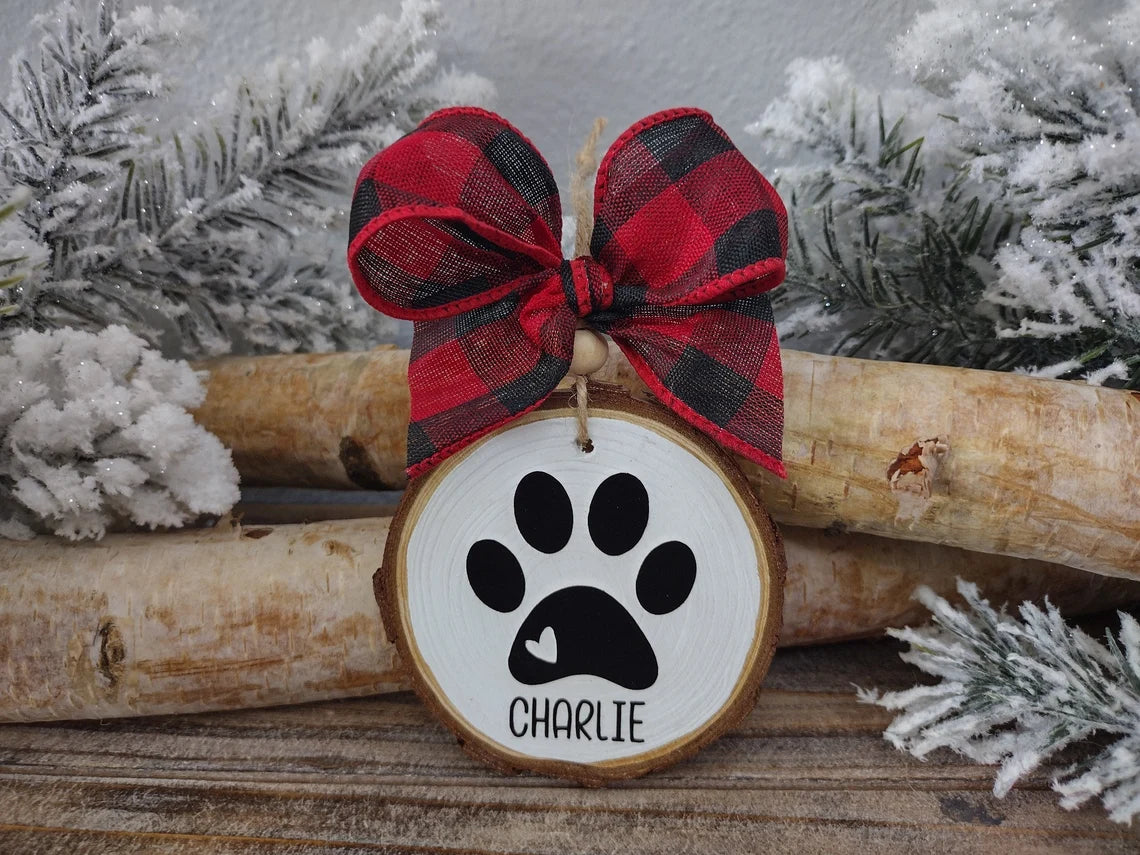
x,y
595,615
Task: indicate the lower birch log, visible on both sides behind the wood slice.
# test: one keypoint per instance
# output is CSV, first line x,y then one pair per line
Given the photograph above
x,y
262,616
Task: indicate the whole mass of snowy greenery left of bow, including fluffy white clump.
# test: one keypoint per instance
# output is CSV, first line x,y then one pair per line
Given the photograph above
x,y
215,240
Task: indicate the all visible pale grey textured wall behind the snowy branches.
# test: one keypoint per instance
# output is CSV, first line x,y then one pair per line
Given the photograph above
x,y
559,64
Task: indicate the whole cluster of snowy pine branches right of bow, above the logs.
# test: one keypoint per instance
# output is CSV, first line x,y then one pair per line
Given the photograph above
x,y
1020,218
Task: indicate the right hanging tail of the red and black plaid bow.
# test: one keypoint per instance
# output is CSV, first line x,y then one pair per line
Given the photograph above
x,y
719,369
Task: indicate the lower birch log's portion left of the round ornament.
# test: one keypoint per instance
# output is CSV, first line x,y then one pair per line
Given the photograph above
x,y
188,622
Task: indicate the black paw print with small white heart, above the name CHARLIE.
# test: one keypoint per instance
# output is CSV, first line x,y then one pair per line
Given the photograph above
x,y
582,630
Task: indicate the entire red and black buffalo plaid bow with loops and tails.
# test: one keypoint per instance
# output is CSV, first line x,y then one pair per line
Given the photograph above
x,y
458,226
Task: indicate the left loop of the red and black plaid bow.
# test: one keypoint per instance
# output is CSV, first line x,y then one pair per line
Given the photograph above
x,y
452,217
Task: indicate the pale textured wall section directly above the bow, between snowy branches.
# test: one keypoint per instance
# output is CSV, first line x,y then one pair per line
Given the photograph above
x,y
559,66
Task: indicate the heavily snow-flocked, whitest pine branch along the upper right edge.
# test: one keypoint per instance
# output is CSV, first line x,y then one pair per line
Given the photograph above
x,y
1048,111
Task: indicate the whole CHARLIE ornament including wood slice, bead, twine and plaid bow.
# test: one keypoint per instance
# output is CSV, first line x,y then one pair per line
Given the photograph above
x,y
588,604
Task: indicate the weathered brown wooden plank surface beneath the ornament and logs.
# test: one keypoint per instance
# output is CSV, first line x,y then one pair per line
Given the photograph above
x,y
809,771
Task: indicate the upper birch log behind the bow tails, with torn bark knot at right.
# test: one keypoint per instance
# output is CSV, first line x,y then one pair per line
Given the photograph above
x,y
1036,468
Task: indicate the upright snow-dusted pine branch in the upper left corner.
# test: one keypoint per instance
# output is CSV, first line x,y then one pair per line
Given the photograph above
x,y
72,119
